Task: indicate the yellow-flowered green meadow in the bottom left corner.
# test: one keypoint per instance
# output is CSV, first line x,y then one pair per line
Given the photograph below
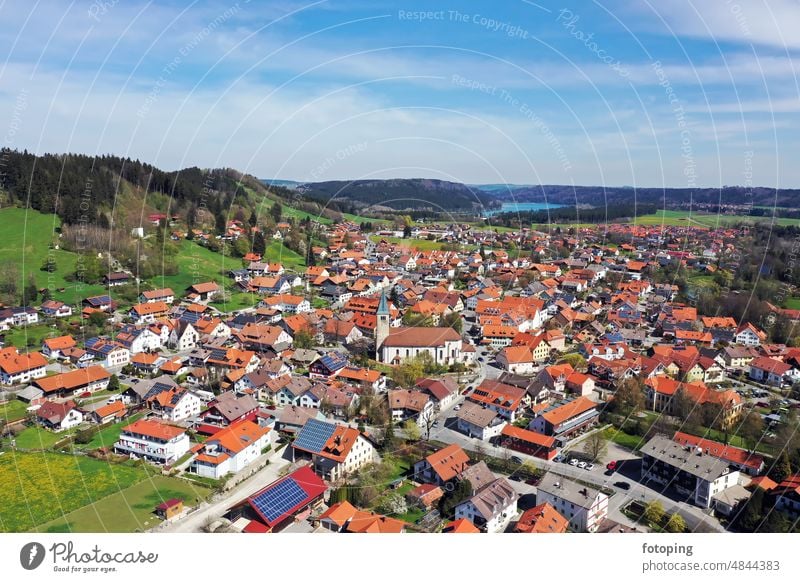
x,y
39,487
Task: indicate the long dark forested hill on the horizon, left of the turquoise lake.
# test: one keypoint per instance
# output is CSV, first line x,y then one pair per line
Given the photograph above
x,y
419,194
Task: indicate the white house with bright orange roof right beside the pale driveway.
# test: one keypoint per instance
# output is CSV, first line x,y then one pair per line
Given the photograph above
x,y
231,449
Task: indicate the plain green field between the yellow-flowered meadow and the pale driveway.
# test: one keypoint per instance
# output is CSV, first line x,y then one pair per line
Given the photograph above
x,y
128,510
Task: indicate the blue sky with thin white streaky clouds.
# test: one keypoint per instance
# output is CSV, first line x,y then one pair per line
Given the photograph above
x,y
621,92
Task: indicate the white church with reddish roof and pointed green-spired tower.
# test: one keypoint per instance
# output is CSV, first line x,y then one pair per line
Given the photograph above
x,y
394,345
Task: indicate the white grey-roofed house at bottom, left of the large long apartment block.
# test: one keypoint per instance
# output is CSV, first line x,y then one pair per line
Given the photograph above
x,y
583,506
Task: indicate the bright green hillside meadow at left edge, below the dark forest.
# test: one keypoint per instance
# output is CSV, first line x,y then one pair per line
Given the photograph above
x,y
27,234
